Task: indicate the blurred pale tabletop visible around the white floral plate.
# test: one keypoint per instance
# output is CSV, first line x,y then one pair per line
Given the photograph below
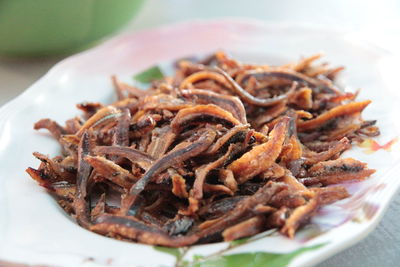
x,y
382,246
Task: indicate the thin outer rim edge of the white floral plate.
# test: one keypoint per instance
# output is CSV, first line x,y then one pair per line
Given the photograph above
x,y
330,249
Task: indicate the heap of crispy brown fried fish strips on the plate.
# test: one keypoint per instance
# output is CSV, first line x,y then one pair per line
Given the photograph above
x,y
220,151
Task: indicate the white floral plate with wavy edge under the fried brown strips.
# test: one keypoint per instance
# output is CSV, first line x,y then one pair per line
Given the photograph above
x,y
34,229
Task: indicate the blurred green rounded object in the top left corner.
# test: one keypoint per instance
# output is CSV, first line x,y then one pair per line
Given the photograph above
x,y
49,27
